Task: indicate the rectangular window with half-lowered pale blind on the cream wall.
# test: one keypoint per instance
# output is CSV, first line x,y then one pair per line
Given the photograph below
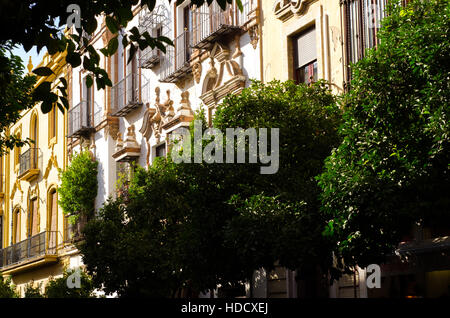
x,y
305,57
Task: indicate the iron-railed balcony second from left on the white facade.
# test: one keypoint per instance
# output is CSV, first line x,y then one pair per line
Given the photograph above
x,y
127,96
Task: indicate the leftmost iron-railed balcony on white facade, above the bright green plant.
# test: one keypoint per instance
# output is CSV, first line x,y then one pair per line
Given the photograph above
x,y
83,118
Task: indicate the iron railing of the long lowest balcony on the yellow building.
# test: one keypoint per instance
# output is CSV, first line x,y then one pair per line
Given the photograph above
x,y
44,243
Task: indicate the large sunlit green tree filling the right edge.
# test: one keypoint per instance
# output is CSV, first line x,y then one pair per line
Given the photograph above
x,y
391,169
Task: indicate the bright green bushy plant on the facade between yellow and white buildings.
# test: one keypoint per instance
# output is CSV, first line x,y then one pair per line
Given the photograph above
x,y
79,185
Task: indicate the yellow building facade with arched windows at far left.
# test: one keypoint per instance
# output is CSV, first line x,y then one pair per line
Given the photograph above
x,y
35,235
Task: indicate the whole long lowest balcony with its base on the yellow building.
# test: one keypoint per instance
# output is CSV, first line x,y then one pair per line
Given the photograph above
x,y
35,251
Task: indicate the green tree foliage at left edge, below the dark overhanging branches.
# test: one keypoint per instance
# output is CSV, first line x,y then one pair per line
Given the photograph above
x,y
15,95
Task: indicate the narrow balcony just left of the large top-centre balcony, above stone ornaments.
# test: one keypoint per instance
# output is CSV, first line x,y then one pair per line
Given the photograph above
x,y
176,62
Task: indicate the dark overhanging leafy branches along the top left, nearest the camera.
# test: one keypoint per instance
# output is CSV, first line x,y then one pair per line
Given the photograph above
x,y
46,29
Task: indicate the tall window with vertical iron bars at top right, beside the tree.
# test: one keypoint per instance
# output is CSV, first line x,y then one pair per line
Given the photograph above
x,y
361,24
